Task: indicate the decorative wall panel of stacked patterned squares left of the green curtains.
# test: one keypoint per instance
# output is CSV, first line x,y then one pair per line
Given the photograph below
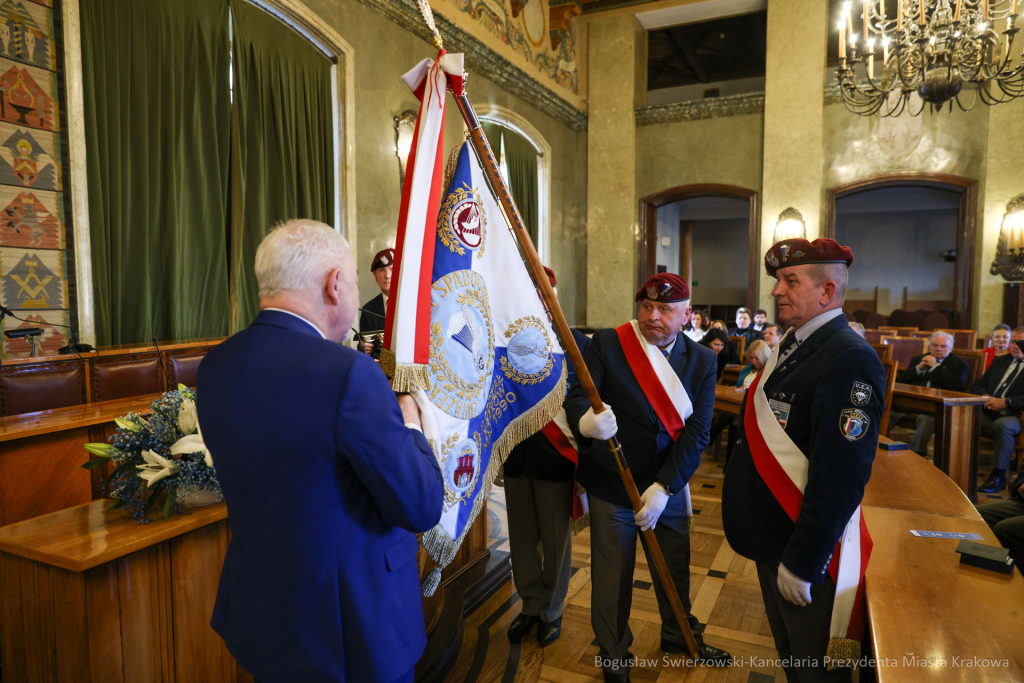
x,y
34,260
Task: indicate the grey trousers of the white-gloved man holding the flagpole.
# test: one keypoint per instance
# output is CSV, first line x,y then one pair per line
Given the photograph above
x,y
614,550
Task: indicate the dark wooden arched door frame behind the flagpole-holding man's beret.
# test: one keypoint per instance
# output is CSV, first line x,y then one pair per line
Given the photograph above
x,y
648,264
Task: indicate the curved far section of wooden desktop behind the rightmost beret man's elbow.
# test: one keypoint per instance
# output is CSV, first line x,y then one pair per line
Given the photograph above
x,y
905,481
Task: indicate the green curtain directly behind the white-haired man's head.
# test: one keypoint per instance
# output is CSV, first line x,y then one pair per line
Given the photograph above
x,y
283,144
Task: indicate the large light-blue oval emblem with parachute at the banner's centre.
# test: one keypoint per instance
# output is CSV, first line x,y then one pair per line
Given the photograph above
x,y
462,345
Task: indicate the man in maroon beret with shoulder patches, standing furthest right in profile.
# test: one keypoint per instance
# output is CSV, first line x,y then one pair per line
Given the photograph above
x,y
808,433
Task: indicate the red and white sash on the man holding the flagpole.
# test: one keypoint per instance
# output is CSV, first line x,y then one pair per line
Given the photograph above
x,y
660,385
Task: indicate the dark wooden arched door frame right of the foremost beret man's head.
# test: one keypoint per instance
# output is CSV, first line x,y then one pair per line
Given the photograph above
x,y
966,225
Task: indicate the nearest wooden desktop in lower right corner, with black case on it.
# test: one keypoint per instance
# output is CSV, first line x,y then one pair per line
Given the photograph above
x,y
924,605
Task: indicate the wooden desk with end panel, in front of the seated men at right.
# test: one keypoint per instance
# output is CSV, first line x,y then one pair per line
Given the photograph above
x,y
958,423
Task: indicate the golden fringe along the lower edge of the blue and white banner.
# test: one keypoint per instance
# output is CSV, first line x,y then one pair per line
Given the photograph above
x,y
437,543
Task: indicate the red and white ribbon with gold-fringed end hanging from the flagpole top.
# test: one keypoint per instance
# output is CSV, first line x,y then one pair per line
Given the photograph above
x,y
407,331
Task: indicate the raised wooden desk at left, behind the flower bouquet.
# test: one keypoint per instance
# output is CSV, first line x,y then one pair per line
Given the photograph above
x,y
40,454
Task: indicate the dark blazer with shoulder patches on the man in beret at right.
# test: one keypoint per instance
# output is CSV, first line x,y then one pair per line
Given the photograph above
x,y
817,380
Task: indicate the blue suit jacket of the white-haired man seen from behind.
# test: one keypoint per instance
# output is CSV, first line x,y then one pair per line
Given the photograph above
x,y
326,491
